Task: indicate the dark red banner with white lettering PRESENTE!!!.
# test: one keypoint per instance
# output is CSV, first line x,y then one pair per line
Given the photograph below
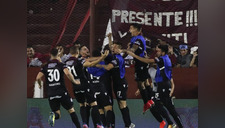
x,y
175,21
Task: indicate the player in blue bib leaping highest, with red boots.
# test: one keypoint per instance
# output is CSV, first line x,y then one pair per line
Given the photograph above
x,y
138,46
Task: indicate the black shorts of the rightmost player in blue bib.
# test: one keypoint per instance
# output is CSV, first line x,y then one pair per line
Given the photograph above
x,y
163,91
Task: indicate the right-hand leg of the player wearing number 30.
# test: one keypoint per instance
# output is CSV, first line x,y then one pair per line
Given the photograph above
x,y
67,103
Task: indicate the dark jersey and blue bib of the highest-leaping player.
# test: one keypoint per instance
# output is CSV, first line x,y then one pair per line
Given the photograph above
x,y
140,41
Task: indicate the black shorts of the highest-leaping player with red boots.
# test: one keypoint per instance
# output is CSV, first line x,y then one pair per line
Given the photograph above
x,y
141,73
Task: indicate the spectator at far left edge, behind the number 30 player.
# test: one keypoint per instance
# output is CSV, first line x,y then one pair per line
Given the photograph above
x,y
33,58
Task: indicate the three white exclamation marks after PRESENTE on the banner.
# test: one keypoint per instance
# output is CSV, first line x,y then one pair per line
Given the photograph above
x,y
191,18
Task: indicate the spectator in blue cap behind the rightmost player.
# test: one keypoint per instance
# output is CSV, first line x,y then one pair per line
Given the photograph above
x,y
184,59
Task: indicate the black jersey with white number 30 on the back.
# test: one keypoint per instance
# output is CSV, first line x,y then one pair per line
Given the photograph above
x,y
54,77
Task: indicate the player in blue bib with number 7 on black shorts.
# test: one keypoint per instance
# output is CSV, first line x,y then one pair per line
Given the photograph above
x,y
117,67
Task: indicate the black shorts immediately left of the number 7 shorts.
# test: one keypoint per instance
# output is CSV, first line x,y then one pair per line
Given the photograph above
x,y
103,99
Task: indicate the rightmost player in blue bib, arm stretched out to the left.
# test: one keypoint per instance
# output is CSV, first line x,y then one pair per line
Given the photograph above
x,y
163,80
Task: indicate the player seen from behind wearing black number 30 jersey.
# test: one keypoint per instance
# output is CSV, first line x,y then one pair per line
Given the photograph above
x,y
57,93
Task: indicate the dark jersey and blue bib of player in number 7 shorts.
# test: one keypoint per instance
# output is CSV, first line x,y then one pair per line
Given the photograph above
x,y
118,72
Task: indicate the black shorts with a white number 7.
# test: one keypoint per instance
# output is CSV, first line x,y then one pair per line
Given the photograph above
x,y
120,90
